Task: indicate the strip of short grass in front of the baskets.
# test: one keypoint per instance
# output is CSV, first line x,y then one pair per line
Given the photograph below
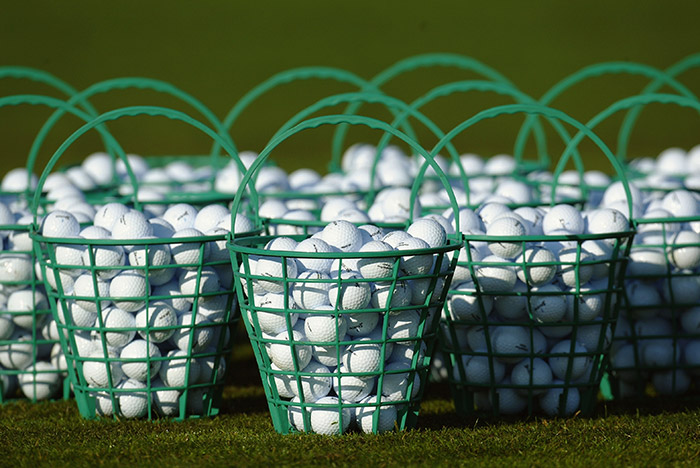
x,y
643,432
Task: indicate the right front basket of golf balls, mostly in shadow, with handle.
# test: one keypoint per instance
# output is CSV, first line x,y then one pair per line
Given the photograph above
x,y
533,333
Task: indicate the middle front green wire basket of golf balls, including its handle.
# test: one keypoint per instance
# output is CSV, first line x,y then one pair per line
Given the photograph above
x,y
334,345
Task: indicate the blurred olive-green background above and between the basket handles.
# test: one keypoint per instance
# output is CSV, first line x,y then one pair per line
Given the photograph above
x,y
217,50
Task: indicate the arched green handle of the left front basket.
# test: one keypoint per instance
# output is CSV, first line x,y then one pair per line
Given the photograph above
x,y
132,112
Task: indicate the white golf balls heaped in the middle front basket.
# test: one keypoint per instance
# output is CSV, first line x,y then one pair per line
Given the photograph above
x,y
344,338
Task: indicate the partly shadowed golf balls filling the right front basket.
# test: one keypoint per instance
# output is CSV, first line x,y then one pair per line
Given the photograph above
x,y
525,319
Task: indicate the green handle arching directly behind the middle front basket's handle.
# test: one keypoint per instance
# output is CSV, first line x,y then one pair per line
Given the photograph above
x,y
375,98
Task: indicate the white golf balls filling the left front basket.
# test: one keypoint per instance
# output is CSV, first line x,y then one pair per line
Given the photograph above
x,y
144,311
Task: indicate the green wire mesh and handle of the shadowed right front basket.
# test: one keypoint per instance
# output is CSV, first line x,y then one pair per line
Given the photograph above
x,y
462,389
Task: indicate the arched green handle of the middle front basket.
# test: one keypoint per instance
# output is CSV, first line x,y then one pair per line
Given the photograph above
x,y
336,120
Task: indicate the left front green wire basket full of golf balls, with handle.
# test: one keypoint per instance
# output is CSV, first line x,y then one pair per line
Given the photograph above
x,y
145,323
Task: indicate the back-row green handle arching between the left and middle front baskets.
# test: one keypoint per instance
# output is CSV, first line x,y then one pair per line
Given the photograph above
x,y
286,77
